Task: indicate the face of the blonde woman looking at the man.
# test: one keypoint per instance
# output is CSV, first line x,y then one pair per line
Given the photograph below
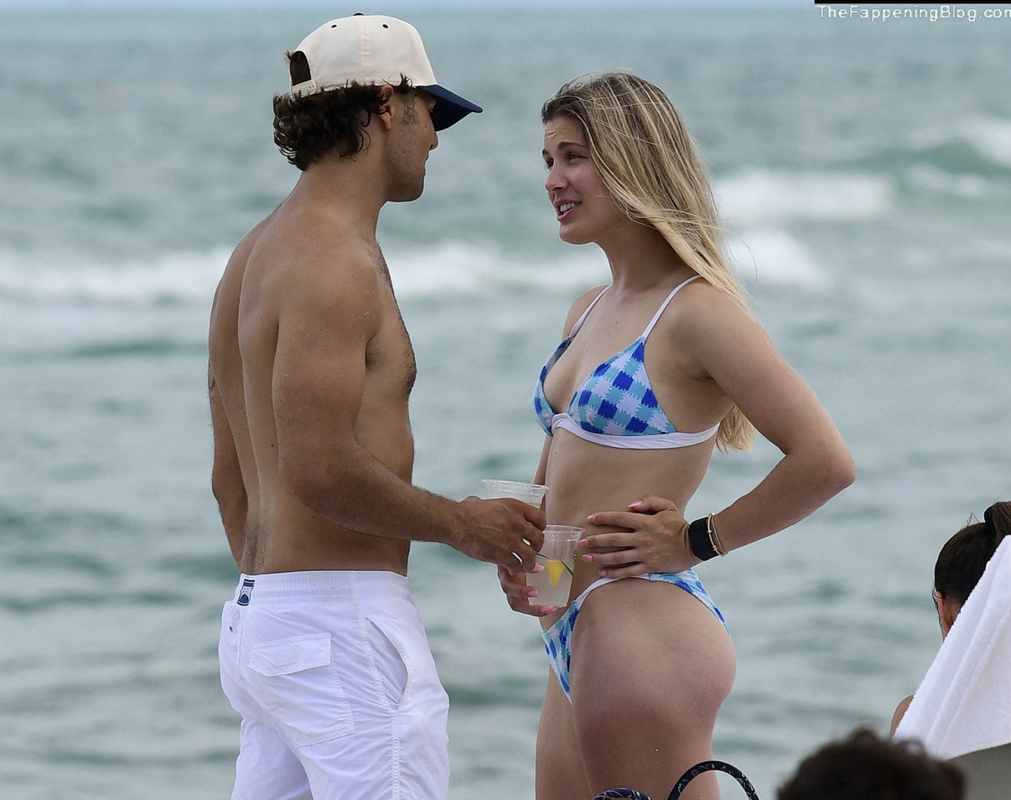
x,y
584,207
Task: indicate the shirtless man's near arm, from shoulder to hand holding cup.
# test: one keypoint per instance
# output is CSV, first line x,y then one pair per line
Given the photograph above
x,y
319,382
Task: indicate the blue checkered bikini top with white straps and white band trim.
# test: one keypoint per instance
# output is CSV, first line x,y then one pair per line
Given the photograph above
x,y
615,406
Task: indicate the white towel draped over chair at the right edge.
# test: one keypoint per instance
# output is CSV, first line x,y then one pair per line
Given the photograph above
x,y
964,704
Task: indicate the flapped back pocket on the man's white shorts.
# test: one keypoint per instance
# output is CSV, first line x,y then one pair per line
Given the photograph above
x,y
300,686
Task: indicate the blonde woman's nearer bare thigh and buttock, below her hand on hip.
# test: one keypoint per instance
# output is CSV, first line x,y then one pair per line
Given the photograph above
x,y
652,666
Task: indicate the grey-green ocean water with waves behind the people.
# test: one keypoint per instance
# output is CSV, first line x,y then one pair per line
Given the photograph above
x,y
864,168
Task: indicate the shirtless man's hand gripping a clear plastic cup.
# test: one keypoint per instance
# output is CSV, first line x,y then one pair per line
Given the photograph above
x,y
506,532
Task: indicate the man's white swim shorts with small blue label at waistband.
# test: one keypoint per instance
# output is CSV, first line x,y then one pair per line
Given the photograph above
x,y
337,688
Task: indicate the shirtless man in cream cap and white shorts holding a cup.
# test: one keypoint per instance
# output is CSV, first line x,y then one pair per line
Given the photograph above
x,y
322,650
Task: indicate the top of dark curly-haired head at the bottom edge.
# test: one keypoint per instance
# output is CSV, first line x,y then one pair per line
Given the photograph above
x,y
866,767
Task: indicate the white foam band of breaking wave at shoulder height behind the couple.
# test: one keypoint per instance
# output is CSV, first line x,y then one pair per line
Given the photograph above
x,y
445,271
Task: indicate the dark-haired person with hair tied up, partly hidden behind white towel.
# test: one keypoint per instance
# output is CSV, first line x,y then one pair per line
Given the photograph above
x,y
959,569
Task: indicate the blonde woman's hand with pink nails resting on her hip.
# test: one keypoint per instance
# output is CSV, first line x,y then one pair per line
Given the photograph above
x,y
655,540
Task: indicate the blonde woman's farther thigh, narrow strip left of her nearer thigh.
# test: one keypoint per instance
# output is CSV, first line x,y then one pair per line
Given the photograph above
x,y
561,775
